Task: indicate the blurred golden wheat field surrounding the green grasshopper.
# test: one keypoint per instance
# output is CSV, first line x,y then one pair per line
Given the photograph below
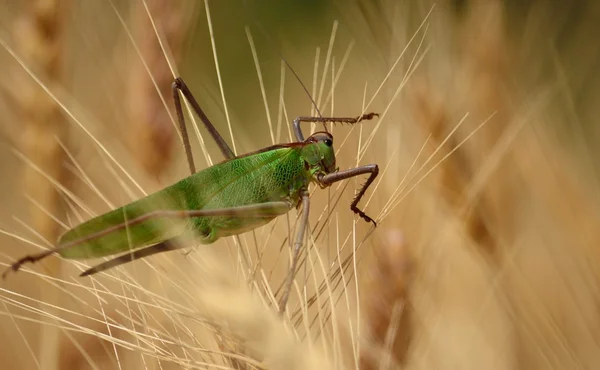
x,y
487,249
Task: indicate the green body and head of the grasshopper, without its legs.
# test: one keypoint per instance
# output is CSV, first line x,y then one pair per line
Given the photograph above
x,y
277,173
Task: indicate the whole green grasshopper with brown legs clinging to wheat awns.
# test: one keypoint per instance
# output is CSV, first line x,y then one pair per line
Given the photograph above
x,y
237,195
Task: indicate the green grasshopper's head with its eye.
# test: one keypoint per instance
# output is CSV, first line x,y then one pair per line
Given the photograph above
x,y
319,153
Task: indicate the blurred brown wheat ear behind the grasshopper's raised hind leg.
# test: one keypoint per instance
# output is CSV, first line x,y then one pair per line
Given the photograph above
x,y
151,130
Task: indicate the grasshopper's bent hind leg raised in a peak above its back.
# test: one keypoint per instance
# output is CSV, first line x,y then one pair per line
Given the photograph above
x,y
179,85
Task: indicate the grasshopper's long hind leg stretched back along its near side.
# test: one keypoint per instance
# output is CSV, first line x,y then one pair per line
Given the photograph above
x,y
268,209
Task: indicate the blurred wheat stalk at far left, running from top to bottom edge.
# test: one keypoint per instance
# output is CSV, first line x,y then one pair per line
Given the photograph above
x,y
40,39
